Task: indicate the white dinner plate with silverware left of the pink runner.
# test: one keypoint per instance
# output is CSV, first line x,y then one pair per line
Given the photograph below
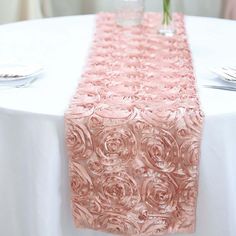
x,y
17,75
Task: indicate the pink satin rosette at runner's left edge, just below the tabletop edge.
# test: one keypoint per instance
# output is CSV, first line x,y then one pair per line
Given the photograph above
x,y
78,141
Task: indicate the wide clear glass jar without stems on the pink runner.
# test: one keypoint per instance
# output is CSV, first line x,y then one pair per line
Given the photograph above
x,y
129,12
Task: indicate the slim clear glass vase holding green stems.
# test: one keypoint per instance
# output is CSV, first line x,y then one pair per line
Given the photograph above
x,y
167,24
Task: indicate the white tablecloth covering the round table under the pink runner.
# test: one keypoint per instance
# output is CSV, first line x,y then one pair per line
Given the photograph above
x,y
34,187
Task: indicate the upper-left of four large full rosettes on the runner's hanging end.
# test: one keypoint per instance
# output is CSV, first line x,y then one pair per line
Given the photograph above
x,y
115,145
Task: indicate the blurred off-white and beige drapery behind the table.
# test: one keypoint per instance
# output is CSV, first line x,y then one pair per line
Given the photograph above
x,y
13,10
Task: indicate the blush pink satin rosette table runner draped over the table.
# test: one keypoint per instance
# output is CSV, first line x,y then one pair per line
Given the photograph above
x,y
133,132
